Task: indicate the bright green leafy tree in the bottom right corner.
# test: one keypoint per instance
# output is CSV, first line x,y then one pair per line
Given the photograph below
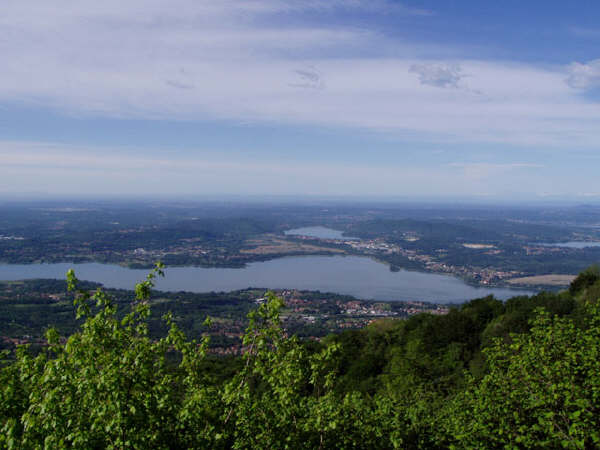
x,y
542,389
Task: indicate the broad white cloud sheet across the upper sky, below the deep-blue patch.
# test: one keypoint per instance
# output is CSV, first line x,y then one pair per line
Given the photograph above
x,y
244,61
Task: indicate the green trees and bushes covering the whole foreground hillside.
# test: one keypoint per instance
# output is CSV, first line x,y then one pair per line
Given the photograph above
x,y
519,374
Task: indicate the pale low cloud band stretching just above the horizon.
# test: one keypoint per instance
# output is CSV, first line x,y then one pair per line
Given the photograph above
x,y
83,170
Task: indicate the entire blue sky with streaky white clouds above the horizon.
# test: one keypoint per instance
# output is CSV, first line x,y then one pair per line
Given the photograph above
x,y
414,99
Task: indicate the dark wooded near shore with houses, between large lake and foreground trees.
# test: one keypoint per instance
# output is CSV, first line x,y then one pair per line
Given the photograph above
x,y
29,307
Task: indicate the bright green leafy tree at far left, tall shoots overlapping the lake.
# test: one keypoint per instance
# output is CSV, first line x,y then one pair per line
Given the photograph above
x,y
108,385
